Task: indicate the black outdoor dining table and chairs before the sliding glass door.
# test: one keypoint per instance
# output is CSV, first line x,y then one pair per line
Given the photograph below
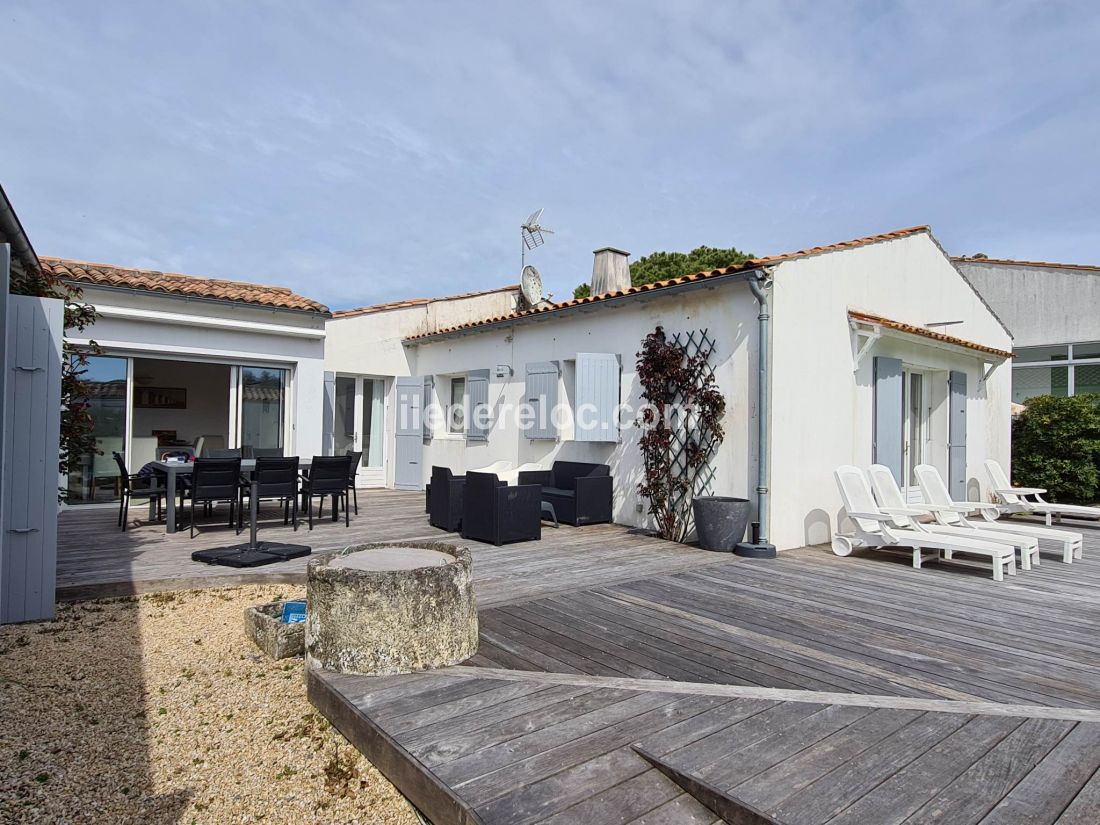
x,y
225,477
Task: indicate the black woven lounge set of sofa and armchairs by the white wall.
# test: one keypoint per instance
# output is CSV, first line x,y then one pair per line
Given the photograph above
x,y
500,504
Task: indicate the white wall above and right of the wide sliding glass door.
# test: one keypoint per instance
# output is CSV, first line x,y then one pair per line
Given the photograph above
x,y
136,324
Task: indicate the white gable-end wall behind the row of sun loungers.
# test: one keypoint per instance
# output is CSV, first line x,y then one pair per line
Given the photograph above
x,y
822,411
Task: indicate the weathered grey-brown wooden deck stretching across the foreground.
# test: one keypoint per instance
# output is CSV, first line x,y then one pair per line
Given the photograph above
x,y
622,679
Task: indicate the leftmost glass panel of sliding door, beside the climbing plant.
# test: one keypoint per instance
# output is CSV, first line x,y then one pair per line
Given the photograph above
x,y
96,476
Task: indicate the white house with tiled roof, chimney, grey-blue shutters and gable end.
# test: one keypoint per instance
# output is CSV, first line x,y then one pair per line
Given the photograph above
x,y
878,350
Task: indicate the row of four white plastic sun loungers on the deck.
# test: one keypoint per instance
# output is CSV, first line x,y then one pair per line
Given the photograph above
x,y
939,527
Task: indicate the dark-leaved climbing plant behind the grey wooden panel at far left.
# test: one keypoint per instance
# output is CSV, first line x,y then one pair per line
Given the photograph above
x,y
78,436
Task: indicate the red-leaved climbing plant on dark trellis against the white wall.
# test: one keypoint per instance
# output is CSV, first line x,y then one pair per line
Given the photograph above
x,y
681,430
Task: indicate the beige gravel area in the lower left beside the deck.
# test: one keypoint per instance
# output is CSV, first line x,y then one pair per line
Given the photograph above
x,y
159,710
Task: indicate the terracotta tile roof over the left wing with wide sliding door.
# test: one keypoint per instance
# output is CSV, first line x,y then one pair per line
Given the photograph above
x,y
172,283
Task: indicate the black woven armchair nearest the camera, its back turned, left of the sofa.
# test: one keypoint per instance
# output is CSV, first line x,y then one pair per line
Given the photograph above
x,y
496,513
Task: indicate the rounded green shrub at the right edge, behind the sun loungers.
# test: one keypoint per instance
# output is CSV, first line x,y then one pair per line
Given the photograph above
x,y
1057,446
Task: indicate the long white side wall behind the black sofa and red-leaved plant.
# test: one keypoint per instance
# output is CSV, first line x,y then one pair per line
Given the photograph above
x,y
728,311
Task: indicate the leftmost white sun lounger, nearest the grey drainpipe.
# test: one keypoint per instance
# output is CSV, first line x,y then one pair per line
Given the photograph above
x,y
876,527
